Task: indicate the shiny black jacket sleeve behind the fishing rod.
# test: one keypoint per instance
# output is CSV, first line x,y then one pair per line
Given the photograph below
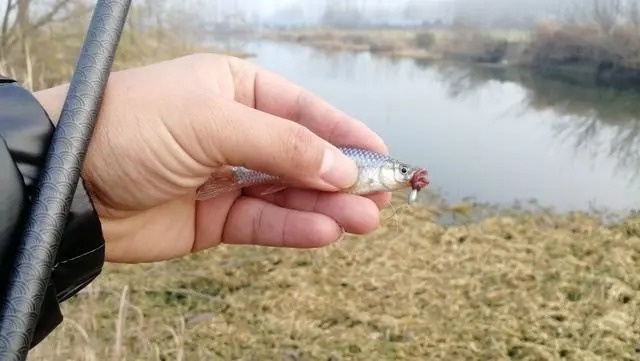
x,y
25,133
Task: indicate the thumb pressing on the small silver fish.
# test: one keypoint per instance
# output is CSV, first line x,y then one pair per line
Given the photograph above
x,y
261,141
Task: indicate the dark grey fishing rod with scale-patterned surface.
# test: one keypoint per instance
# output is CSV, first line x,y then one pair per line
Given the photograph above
x,y
58,179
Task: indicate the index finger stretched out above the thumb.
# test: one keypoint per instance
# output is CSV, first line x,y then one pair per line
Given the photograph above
x,y
271,93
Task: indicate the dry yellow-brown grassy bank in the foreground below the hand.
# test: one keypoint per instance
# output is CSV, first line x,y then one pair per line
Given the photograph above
x,y
517,285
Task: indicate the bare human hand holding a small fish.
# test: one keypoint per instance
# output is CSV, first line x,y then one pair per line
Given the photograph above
x,y
164,128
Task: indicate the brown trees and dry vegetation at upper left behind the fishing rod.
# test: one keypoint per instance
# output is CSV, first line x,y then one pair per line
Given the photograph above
x,y
41,51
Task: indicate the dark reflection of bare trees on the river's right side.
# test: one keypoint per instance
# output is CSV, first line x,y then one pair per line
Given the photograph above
x,y
595,121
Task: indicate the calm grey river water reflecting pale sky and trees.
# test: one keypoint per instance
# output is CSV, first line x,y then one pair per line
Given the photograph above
x,y
492,135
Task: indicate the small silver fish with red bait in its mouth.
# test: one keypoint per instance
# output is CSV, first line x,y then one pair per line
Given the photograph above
x,y
377,173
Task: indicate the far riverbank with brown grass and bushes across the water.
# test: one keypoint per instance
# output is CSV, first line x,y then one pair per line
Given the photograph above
x,y
595,53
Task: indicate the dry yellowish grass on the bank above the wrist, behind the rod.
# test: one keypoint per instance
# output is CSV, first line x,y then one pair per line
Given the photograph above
x,y
54,48
